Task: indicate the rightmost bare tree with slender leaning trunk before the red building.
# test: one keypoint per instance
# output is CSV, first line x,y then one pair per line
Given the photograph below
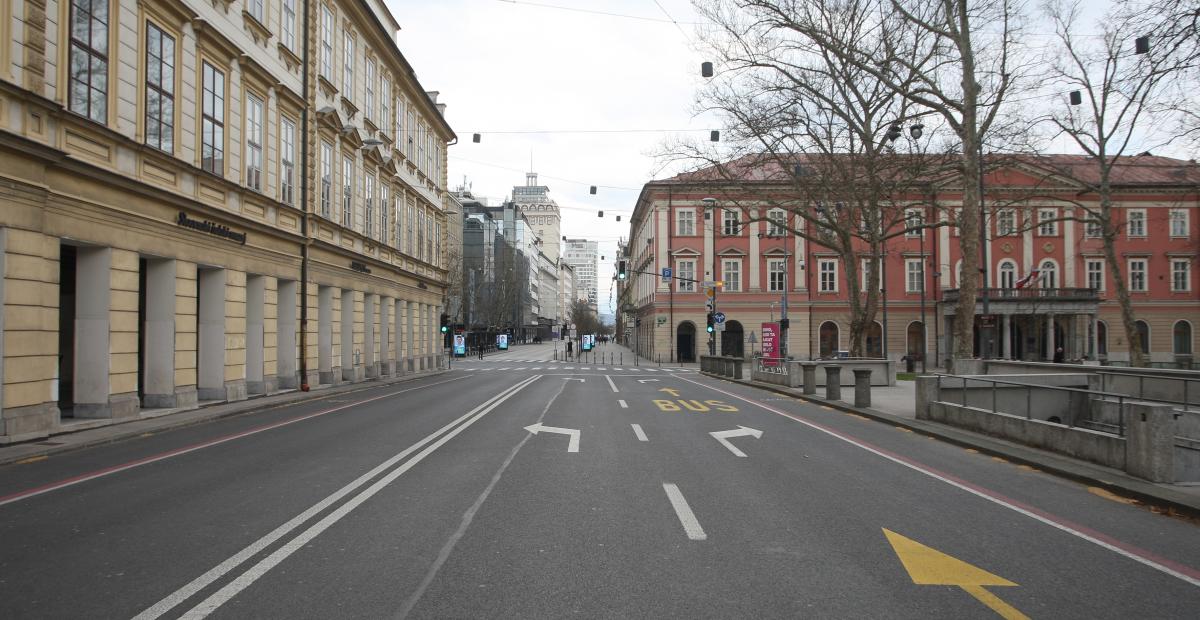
x,y
1123,94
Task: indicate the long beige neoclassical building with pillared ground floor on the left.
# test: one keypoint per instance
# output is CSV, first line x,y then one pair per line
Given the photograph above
x,y
206,200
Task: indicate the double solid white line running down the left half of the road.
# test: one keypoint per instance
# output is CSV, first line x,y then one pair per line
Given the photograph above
x,y
427,447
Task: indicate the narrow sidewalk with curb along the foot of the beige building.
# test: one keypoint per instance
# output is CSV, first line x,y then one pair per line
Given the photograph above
x,y
131,429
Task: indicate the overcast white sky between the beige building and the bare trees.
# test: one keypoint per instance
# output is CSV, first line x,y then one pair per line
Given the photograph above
x,y
505,67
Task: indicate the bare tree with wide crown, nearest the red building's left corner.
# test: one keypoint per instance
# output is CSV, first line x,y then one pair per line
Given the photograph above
x,y
811,135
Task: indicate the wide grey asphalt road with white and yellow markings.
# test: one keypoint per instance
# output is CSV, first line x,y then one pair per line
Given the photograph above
x,y
434,499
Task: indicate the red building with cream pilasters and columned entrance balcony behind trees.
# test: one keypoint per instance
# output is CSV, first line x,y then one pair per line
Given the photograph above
x,y
1048,286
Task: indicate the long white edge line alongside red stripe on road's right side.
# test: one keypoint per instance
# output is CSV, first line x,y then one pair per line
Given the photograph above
x,y
1138,556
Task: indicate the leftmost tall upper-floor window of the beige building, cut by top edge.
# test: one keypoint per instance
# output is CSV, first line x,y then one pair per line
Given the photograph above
x,y
89,59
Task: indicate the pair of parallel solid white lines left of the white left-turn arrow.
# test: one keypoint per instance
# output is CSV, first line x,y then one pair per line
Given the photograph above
x,y
256,547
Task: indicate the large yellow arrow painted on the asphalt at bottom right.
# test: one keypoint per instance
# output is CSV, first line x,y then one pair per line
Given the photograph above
x,y
929,567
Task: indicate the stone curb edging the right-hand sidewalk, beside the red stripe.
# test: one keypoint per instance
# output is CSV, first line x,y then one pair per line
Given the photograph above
x,y
1144,492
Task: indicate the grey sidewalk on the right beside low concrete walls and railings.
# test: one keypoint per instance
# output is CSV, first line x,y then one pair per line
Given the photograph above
x,y
897,406
